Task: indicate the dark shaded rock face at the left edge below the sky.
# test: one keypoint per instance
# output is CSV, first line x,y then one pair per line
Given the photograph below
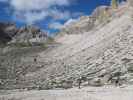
x,y
7,31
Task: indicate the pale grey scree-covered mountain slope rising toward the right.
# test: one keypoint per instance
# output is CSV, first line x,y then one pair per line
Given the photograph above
x,y
102,52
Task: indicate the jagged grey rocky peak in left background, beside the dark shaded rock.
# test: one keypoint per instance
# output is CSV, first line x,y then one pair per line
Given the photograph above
x,y
30,34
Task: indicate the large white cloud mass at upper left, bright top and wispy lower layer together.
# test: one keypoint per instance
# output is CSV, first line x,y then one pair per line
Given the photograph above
x,y
36,10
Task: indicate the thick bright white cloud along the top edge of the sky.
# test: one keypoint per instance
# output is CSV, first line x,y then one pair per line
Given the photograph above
x,y
37,4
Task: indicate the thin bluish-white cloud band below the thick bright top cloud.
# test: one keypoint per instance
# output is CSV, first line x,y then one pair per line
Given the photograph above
x,y
32,17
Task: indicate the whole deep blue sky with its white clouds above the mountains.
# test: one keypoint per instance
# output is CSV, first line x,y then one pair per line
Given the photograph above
x,y
50,15
